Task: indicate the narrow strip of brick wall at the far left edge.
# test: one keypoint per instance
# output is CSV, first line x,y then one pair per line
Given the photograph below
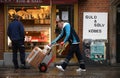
x,y
1,31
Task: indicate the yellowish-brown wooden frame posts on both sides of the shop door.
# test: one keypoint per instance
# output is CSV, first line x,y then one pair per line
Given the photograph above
x,y
53,23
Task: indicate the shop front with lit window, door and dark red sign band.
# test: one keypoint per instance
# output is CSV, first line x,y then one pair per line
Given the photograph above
x,y
39,20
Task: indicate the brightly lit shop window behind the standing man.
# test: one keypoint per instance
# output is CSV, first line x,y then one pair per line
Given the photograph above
x,y
36,21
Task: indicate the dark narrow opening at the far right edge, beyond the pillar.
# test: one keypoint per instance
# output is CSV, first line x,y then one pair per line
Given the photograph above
x,y
118,35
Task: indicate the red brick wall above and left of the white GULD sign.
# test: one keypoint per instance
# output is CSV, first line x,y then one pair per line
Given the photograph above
x,y
91,6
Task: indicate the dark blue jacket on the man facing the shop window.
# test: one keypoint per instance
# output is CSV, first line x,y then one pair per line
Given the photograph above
x,y
16,30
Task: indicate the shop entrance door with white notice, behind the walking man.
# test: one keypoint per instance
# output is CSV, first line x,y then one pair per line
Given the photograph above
x,y
65,13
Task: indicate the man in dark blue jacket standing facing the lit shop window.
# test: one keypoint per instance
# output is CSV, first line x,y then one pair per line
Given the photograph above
x,y
16,34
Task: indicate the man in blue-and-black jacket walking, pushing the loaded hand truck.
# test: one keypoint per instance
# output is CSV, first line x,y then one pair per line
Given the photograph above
x,y
70,36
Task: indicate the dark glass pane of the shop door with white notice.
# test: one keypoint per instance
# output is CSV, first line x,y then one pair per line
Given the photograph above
x,y
64,12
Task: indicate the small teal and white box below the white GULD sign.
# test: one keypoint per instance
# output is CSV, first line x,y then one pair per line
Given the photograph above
x,y
97,51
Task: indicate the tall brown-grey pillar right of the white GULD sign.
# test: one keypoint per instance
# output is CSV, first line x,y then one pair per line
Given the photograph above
x,y
112,31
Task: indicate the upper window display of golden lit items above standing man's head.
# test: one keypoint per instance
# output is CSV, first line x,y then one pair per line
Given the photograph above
x,y
41,13
